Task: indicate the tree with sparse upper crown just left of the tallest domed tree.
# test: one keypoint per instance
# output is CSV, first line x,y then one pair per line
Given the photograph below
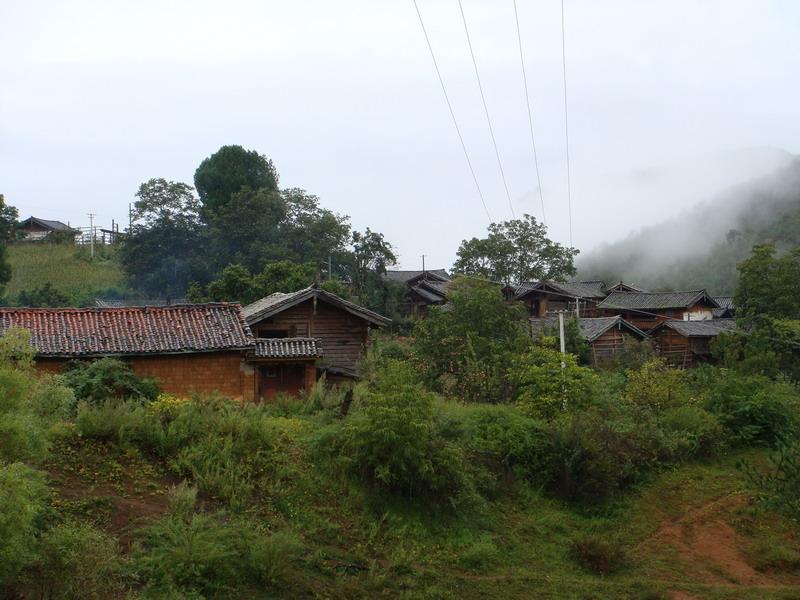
x,y
160,253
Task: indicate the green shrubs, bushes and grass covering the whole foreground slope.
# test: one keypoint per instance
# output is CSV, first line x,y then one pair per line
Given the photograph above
x,y
468,464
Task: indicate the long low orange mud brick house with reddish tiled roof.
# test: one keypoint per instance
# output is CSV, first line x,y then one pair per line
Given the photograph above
x,y
191,348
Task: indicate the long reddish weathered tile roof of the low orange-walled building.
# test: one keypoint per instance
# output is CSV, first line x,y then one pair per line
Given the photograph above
x,y
73,332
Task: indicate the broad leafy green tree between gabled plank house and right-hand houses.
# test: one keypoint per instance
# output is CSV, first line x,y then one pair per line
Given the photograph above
x,y
466,348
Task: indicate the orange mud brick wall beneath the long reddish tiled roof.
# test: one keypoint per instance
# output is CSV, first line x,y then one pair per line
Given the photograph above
x,y
225,373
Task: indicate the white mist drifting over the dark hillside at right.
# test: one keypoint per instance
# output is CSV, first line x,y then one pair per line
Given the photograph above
x,y
700,248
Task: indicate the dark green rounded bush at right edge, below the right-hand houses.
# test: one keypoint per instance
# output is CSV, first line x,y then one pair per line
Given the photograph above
x,y
754,408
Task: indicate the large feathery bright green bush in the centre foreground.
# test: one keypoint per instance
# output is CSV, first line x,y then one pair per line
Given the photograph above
x,y
394,440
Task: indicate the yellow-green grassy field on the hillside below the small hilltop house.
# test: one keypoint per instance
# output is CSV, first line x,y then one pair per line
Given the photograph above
x,y
66,267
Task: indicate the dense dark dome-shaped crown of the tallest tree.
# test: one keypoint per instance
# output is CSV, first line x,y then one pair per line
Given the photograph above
x,y
227,171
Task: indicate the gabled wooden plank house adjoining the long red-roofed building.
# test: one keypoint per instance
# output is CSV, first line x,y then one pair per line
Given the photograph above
x,y
341,329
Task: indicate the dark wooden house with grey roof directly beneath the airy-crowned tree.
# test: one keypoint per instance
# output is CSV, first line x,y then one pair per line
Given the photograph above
x,y
547,297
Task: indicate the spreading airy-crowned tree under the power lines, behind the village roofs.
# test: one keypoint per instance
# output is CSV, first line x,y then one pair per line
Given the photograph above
x,y
515,251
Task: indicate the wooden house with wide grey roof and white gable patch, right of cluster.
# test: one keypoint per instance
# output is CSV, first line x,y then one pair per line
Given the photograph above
x,y
646,310
